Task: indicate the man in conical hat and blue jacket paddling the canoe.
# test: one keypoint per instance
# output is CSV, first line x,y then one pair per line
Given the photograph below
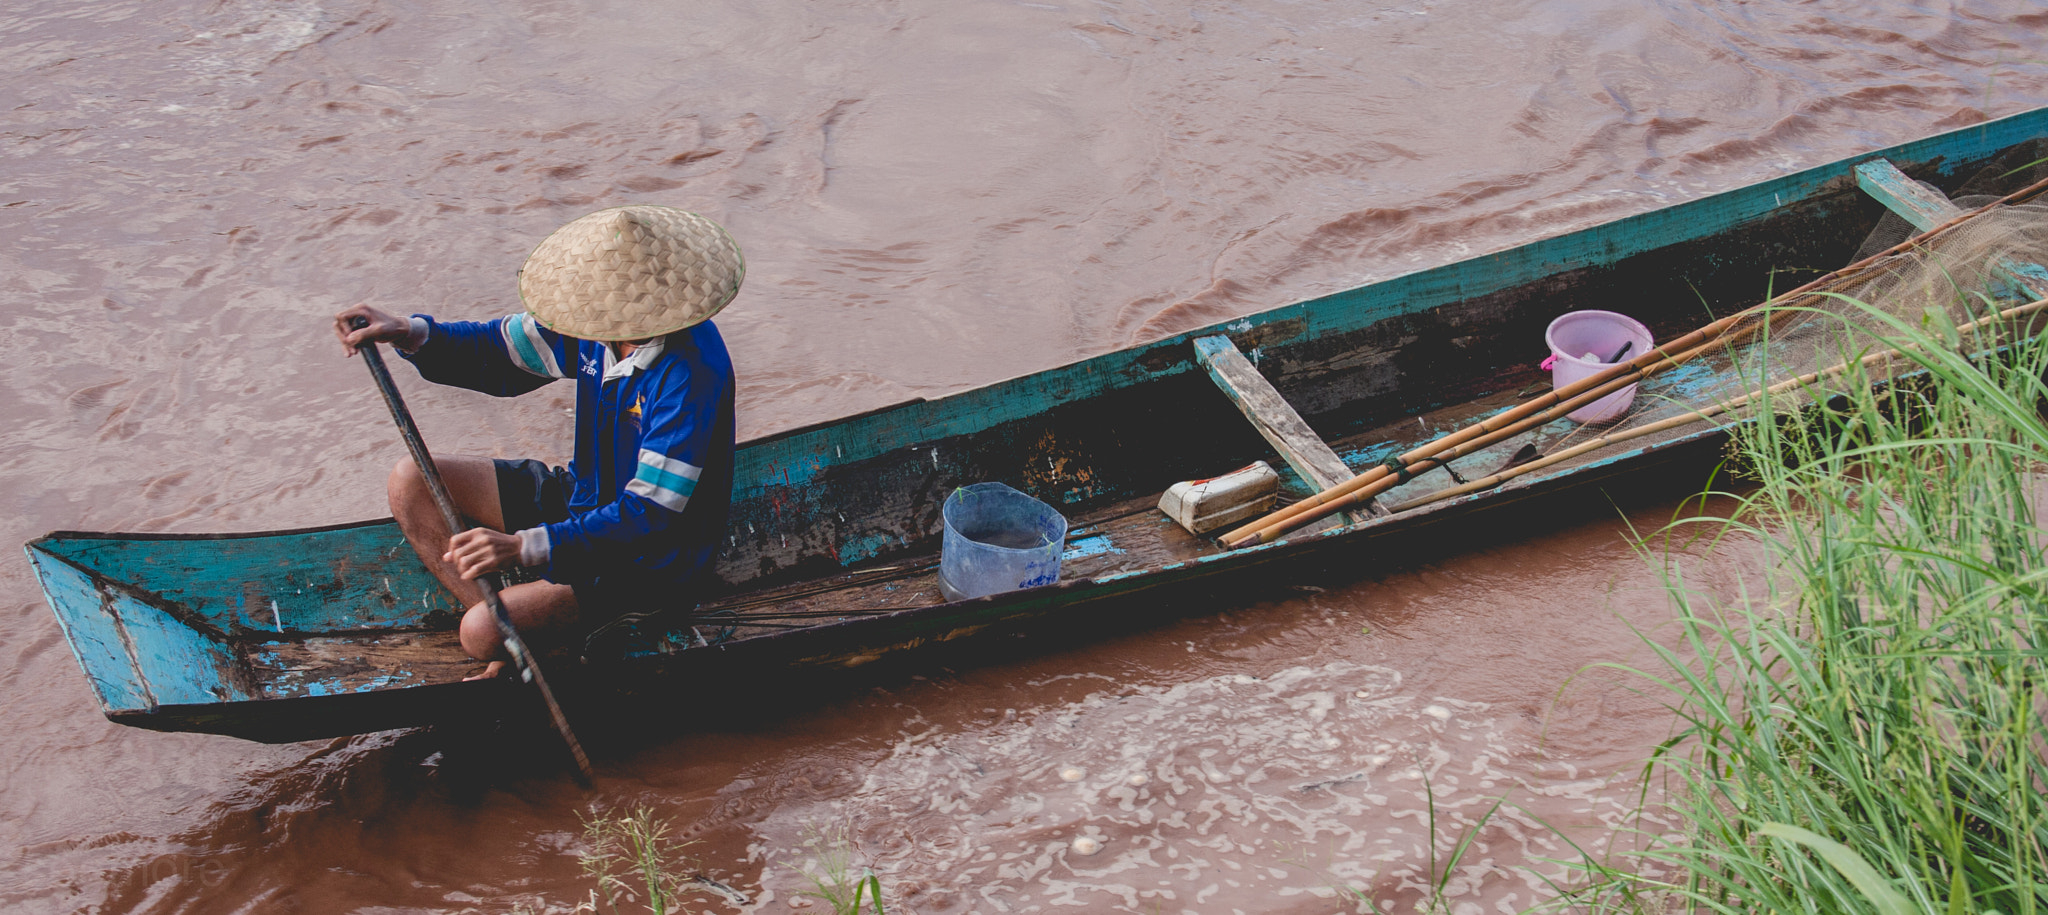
x,y
622,304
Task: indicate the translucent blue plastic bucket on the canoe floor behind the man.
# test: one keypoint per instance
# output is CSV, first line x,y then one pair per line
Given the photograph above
x,y
998,541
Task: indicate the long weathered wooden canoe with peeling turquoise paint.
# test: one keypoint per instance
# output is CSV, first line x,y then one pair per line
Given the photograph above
x,y
837,527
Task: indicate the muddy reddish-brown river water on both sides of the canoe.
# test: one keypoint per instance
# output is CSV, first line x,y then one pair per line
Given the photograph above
x,y
931,195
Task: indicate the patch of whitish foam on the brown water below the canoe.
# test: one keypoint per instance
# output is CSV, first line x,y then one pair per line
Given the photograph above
x,y
1211,793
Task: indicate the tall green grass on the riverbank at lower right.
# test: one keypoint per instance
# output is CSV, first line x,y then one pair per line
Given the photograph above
x,y
1863,732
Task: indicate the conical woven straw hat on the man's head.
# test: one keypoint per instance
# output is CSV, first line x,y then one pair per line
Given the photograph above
x,y
632,273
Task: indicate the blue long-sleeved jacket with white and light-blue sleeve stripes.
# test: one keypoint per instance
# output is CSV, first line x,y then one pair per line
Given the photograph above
x,y
654,441
